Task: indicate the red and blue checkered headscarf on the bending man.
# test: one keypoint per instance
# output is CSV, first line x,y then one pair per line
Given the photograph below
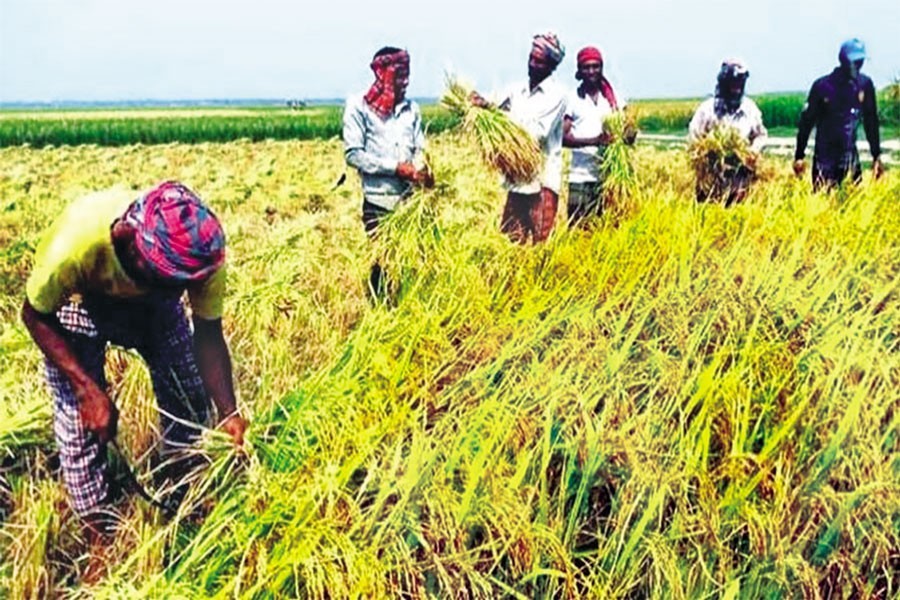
x,y
179,236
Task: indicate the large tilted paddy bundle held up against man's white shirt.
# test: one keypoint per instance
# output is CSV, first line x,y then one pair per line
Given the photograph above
x,y
504,144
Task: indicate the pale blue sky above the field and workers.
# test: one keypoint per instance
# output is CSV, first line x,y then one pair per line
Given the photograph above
x,y
53,50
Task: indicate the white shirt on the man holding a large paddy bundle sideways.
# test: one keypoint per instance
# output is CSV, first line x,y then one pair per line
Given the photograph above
x,y
540,112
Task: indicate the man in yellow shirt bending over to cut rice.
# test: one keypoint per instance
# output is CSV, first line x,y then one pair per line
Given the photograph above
x,y
111,270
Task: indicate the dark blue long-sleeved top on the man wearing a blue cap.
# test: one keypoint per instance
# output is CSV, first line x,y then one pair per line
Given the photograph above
x,y
835,105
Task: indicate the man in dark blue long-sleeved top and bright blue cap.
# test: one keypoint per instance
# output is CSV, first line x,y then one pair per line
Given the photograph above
x,y
834,107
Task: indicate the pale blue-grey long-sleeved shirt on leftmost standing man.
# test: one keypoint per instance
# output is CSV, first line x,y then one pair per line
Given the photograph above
x,y
375,146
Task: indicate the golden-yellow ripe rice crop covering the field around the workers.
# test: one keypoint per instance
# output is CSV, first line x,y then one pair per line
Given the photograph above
x,y
701,402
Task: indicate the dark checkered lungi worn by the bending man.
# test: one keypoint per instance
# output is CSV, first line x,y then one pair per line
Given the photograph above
x,y
158,329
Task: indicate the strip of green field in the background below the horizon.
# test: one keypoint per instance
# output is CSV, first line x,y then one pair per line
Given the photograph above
x,y
156,125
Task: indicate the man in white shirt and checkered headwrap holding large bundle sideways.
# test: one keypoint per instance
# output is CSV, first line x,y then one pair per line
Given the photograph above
x,y
538,105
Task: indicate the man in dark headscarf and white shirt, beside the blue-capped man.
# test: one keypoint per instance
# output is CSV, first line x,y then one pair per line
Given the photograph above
x,y
730,108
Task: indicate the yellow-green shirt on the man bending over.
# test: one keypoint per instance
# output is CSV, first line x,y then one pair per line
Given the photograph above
x,y
76,255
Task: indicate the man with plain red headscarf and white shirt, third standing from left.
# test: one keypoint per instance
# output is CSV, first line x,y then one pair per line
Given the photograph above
x,y
583,132
